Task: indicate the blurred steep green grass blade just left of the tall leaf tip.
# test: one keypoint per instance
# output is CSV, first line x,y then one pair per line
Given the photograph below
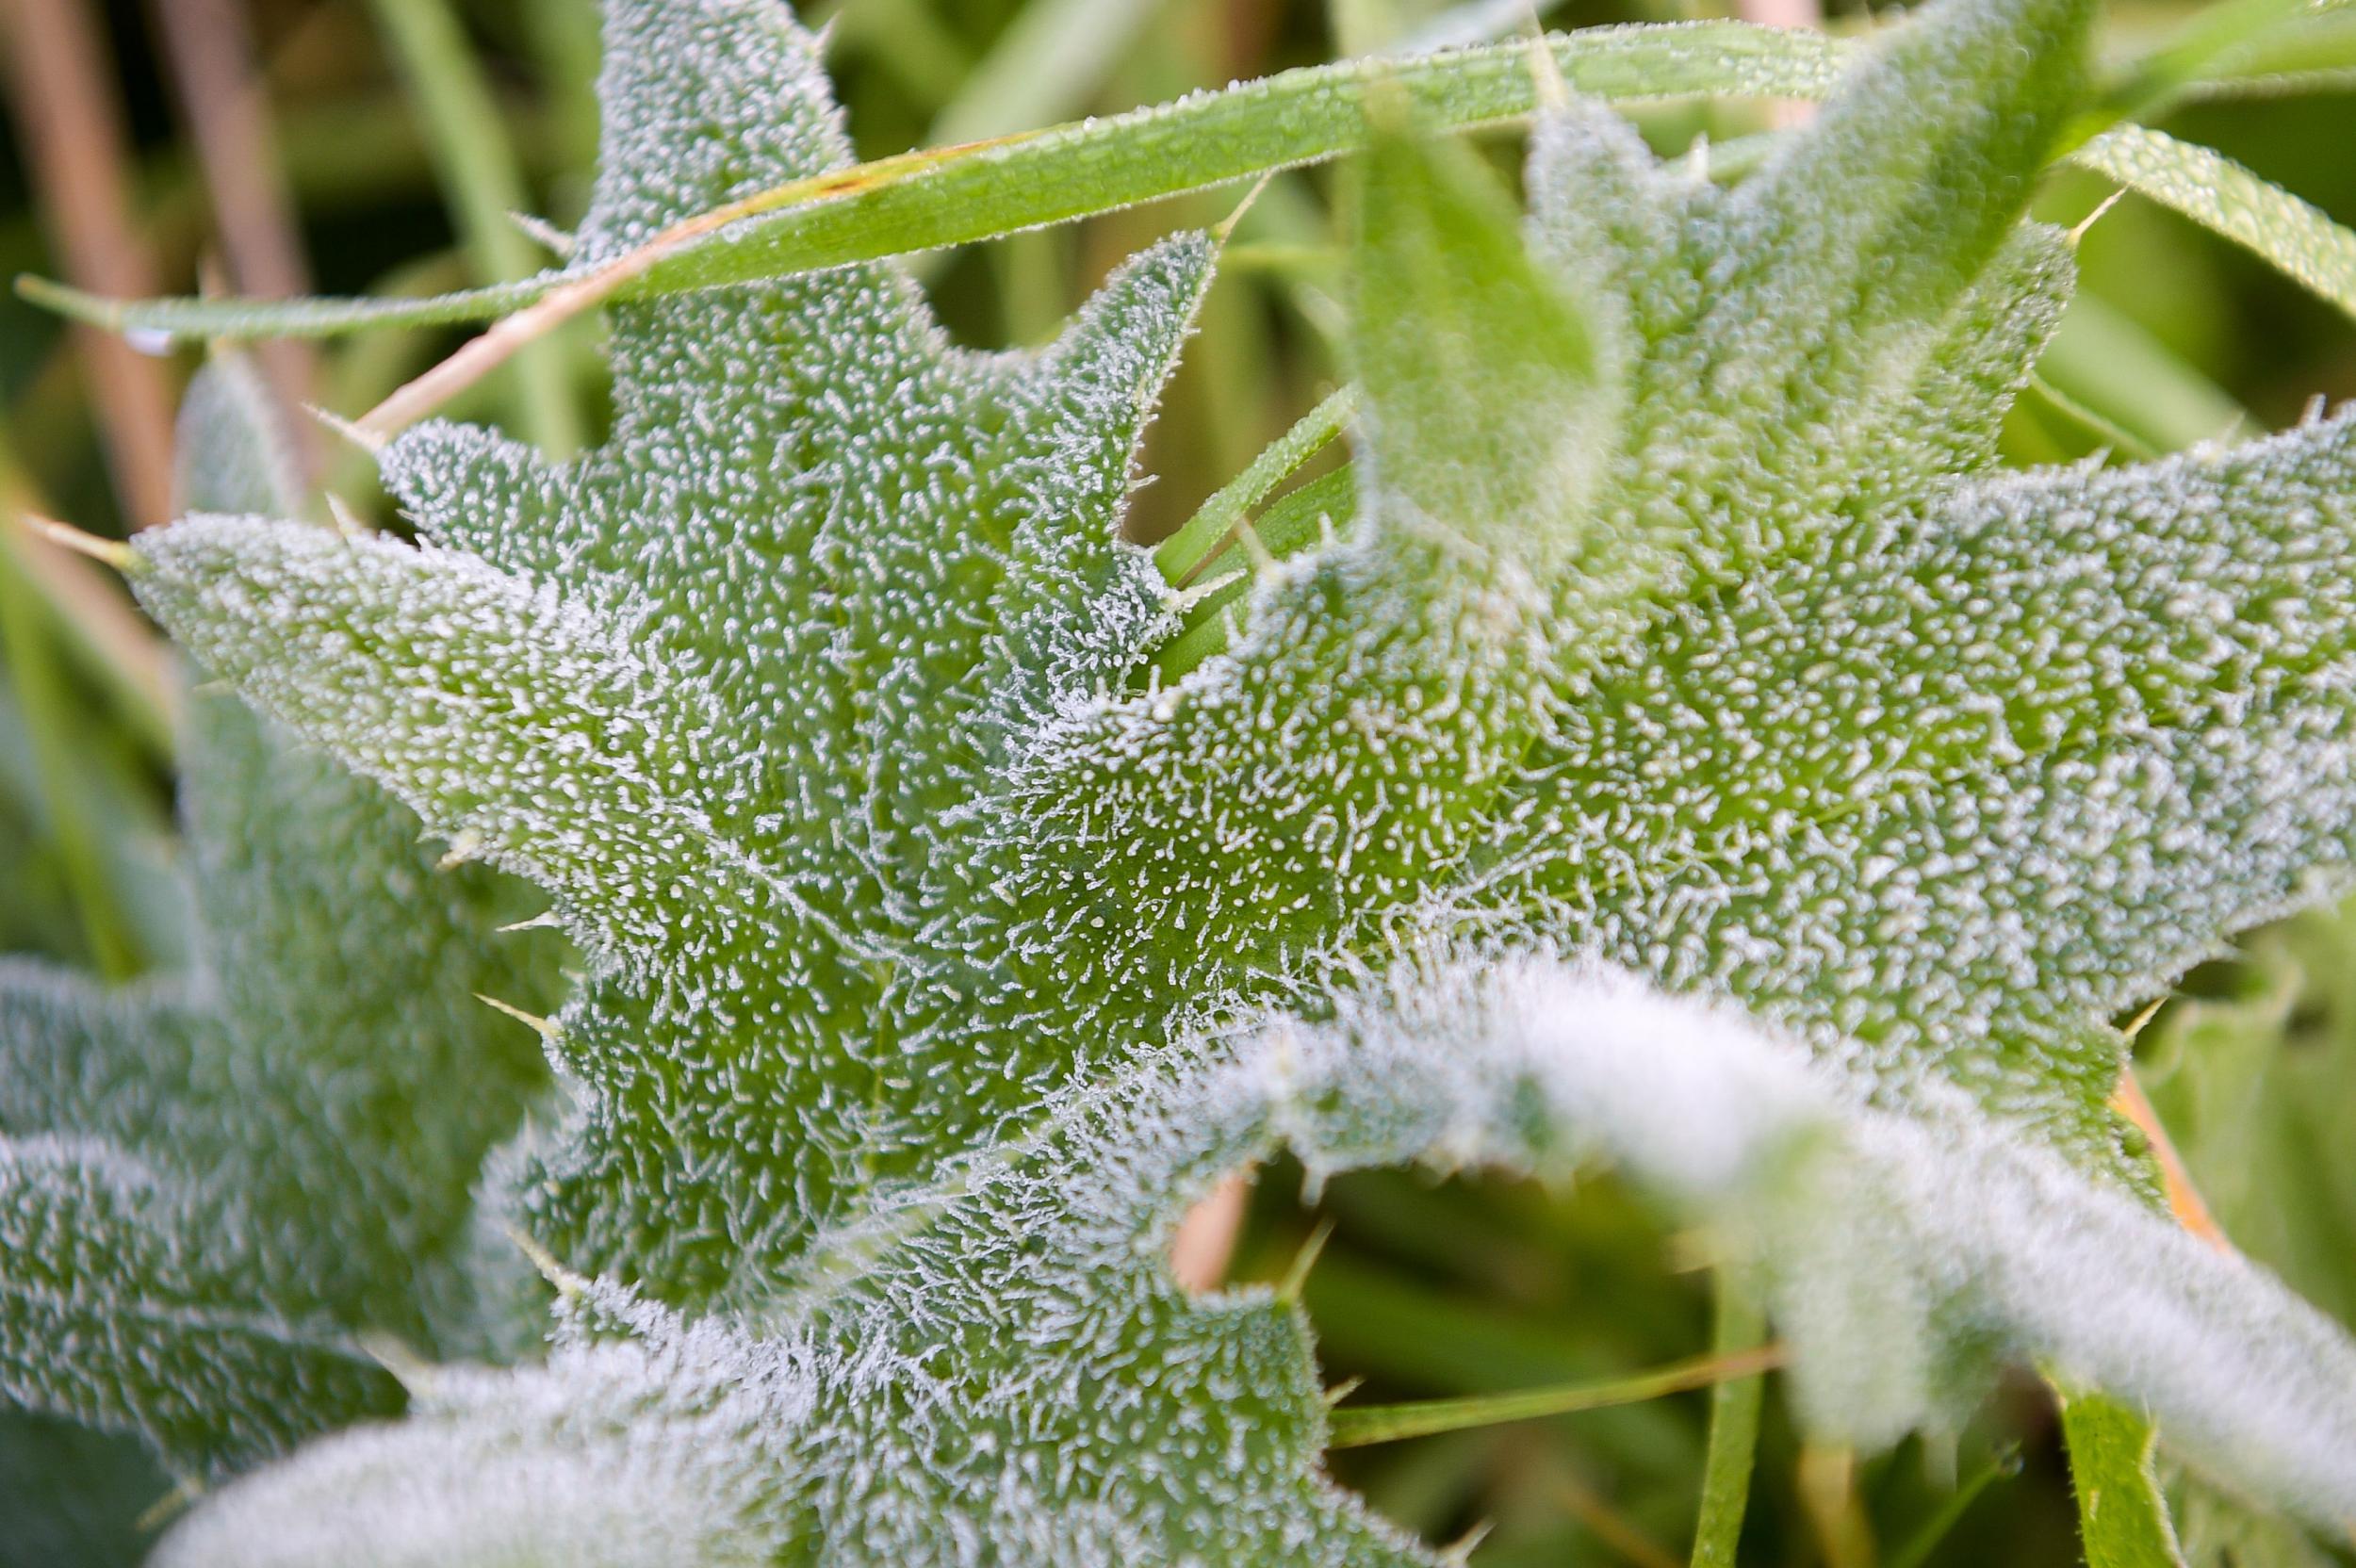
x,y
484,187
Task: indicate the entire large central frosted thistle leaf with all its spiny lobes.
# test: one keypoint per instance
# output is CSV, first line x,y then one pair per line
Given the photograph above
x,y
939,952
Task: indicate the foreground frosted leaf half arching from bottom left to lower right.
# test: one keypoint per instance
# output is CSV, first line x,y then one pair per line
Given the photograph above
x,y
1005,1371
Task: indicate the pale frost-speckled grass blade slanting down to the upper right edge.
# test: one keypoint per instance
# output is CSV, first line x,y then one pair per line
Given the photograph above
x,y
2221,194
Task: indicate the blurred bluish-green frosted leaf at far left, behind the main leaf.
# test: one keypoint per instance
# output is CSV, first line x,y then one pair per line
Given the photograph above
x,y
223,1178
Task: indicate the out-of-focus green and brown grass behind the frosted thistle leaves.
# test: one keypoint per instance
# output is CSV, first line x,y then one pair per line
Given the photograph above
x,y
380,145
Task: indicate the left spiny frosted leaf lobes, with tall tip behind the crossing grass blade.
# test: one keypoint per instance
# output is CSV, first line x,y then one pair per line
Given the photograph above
x,y
722,682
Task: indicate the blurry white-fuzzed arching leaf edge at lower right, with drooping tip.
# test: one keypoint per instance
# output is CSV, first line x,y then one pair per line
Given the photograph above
x,y
1745,1127
